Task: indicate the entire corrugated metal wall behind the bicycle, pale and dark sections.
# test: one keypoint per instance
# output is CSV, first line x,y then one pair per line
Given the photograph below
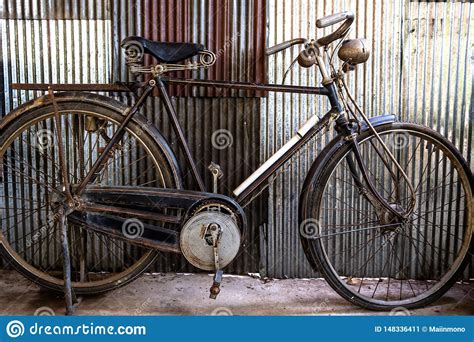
x,y
415,44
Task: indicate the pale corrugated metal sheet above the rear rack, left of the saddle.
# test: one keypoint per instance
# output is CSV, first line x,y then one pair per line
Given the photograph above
x,y
53,42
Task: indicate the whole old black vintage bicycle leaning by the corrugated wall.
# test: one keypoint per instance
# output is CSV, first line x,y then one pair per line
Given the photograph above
x,y
71,186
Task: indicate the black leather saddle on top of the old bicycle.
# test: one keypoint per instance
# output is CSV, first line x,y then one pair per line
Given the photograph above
x,y
165,52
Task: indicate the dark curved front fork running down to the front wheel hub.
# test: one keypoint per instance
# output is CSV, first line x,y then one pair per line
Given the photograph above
x,y
349,131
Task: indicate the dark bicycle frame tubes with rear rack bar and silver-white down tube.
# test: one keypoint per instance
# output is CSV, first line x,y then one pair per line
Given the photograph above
x,y
311,127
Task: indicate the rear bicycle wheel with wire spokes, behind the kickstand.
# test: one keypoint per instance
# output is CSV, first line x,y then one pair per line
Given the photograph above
x,y
30,237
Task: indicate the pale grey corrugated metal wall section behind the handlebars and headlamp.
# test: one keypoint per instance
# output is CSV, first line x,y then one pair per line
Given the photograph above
x,y
419,69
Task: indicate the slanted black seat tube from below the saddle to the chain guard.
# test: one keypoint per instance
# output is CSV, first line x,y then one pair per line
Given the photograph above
x,y
179,131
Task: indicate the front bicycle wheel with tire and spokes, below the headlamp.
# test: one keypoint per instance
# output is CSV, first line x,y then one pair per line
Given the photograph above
x,y
367,255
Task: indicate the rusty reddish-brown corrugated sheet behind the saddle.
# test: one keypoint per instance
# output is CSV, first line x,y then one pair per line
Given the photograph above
x,y
234,30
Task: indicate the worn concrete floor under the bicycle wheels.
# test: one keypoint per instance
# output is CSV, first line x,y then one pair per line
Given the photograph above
x,y
187,294
